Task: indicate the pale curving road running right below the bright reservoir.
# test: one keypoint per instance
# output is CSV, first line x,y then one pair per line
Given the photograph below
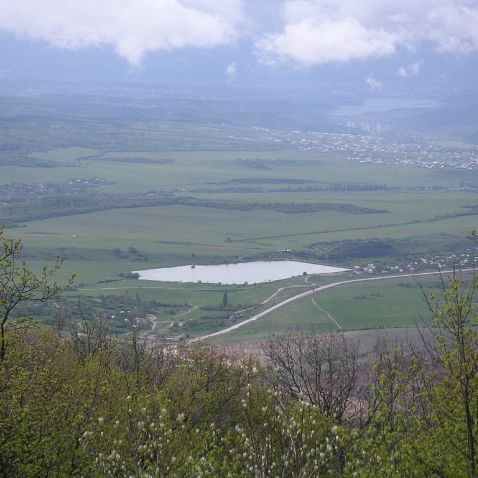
x,y
310,292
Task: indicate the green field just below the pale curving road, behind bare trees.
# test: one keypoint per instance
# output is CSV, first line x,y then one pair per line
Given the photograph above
x,y
390,303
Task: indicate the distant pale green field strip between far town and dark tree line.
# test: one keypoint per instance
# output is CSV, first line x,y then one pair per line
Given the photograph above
x,y
205,166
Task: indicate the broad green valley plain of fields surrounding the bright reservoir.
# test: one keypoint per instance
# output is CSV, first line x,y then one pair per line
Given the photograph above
x,y
111,196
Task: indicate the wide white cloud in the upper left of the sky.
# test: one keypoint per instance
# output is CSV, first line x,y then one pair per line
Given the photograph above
x,y
132,27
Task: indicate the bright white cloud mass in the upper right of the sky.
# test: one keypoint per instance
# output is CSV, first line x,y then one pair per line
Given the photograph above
x,y
321,31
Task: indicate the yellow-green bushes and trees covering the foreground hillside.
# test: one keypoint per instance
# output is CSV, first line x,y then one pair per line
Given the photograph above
x,y
120,409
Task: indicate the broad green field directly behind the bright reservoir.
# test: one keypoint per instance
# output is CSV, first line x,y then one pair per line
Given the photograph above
x,y
170,235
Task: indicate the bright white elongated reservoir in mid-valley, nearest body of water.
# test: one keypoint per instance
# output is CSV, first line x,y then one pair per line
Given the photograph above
x,y
250,272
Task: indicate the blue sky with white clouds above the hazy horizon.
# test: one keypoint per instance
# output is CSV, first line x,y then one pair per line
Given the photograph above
x,y
240,41
